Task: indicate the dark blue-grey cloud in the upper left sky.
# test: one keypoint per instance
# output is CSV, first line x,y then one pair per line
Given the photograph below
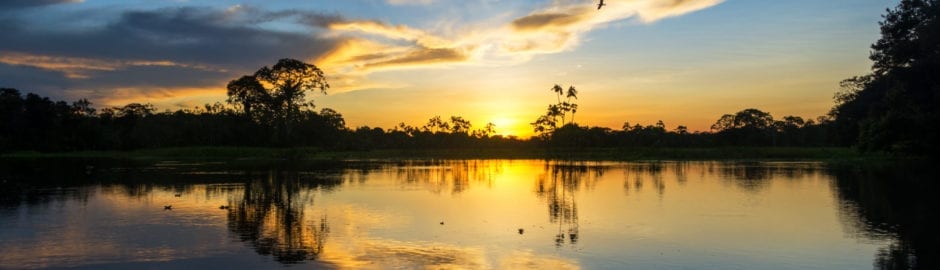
x,y
206,45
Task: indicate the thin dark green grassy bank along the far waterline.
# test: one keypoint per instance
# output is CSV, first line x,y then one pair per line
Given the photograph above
x,y
251,154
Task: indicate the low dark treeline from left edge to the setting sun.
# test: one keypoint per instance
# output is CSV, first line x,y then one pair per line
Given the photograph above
x,y
32,122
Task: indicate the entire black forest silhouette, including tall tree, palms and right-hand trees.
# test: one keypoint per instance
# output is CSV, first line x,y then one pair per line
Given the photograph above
x,y
892,109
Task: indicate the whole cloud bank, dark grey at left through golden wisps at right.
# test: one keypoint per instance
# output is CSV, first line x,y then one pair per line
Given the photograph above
x,y
204,47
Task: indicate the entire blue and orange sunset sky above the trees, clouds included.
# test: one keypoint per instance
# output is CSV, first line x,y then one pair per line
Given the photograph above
x,y
685,62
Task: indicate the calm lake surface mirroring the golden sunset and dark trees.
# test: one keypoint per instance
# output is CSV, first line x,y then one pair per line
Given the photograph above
x,y
477,214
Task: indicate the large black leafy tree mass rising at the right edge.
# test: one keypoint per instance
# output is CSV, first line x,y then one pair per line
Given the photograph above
x,y
894,107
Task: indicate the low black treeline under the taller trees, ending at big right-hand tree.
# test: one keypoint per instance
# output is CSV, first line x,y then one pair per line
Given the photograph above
x,y
33,122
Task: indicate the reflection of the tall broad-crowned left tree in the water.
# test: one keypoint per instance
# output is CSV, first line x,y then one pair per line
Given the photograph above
x,y
270,215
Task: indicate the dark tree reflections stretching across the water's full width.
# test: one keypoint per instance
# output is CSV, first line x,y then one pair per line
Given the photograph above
x,y
272,212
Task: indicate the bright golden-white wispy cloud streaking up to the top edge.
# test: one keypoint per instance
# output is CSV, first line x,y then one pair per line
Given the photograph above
x,y
551,29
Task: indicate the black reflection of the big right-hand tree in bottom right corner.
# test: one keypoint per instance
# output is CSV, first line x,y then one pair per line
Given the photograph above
x,y
896,202
